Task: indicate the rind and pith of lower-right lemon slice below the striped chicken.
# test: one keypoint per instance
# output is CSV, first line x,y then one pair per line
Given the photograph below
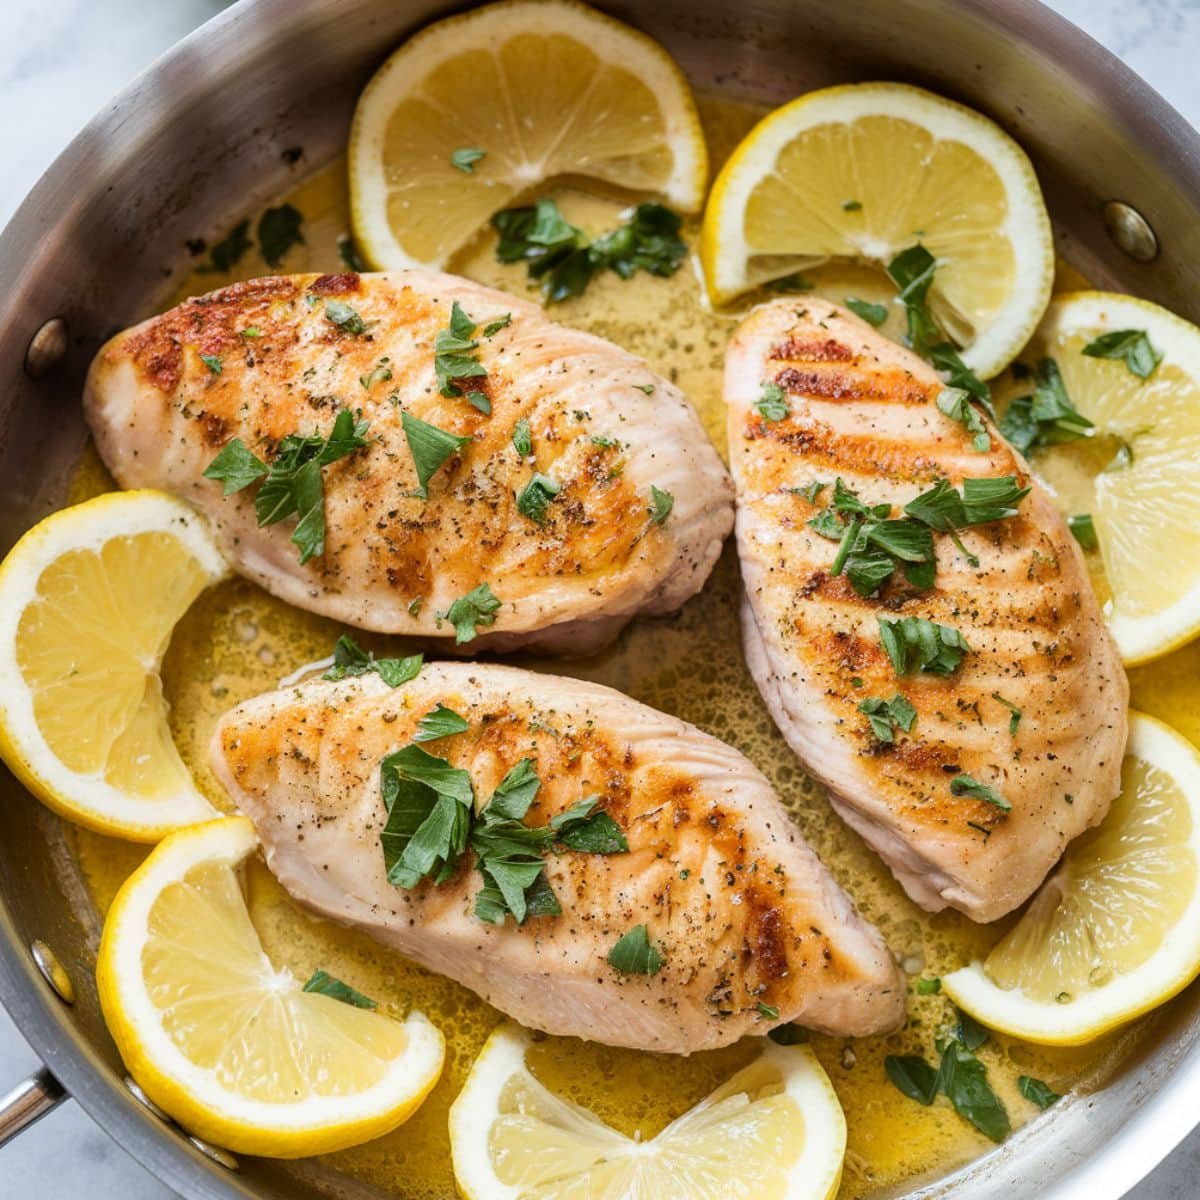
x,y
1127,998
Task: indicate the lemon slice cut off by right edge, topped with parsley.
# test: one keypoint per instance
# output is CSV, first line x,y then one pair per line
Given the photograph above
x,y
1149,430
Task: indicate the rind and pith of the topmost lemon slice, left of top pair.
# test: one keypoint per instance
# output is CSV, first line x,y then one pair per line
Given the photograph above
x,y
484,28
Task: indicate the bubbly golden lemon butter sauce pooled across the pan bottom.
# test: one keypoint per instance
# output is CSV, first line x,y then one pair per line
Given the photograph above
x,y
237,641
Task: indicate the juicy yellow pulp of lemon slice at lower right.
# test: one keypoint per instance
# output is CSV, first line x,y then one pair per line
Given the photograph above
x,y
1106,913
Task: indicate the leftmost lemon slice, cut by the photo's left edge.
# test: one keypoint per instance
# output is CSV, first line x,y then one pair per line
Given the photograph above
x,y
88,601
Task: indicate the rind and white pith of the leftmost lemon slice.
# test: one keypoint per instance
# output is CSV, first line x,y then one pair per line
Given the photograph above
x,y
89,801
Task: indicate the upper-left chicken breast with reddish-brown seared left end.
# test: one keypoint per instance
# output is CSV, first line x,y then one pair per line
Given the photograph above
x,y
626,502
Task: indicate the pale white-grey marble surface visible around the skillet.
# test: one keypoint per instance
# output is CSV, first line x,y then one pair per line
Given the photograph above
x,y
59,62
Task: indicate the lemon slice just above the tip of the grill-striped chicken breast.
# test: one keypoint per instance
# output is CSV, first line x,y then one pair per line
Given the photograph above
x,y
866,171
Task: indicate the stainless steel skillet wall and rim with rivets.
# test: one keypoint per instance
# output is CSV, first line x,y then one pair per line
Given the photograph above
x,y
197,141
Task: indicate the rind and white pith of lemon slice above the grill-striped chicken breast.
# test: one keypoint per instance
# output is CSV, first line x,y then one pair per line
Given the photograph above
x,y
1028,224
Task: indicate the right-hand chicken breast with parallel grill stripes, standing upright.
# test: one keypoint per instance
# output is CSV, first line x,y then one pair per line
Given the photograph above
x,y
1034,718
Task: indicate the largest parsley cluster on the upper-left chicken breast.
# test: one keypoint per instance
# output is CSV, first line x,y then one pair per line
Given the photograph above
x,y
293,483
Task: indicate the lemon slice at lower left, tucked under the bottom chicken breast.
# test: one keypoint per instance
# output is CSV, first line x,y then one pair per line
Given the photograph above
x,y
230,1046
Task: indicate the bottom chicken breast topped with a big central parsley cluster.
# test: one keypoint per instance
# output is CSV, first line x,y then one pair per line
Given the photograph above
x,y
751,928
